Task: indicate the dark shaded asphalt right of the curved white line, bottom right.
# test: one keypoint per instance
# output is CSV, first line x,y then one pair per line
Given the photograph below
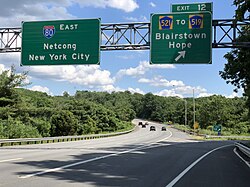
x,y
222,168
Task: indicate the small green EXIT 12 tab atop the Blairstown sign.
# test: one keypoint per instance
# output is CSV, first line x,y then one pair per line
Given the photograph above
x,y
194,7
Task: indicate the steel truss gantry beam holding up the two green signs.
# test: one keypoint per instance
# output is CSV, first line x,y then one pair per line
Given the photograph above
x,y
136,36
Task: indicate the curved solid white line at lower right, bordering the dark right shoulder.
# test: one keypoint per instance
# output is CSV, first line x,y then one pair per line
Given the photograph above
x,y
176,179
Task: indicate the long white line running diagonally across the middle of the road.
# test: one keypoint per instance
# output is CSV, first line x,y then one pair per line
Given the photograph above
x,y
92,159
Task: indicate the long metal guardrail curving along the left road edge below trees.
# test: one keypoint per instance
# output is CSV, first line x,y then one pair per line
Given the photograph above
x,y
24,141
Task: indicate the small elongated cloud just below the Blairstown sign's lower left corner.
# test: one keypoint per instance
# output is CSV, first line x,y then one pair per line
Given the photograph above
x,y
143,67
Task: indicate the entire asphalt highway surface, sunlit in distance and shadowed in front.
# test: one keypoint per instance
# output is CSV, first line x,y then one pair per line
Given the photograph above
x,y
142,158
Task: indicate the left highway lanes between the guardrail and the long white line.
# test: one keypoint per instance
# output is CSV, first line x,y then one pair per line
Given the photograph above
x,y
48,156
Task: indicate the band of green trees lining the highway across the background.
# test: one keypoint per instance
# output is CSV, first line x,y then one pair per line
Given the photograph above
x,y
26,113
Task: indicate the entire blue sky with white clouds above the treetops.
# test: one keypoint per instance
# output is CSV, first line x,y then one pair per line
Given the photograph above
x,y
118,70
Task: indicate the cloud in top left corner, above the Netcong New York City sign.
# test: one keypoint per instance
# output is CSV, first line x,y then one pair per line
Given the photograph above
x,y
14,12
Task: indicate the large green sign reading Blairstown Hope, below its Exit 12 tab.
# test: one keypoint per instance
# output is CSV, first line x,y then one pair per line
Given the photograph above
x,y
181,38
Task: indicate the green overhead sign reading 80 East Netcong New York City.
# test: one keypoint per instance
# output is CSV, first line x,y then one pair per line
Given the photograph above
x,y
64,42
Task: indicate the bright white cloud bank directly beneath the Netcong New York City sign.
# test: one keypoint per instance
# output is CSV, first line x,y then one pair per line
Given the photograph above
x,y
91,76
